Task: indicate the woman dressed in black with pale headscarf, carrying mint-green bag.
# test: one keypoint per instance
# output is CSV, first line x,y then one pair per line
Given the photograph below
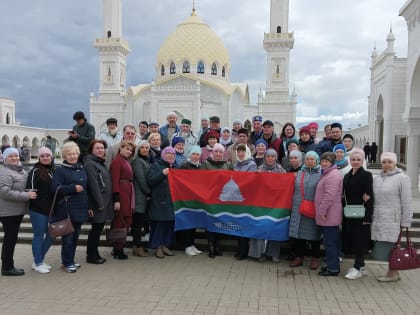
x,y
356,232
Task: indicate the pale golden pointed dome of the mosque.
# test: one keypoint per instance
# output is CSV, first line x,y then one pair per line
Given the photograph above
x,y
193,41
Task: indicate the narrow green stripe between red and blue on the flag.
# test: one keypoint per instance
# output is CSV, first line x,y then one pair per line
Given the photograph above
x,y
235,209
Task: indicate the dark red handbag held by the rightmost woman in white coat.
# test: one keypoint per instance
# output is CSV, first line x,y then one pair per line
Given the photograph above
x,y
404,258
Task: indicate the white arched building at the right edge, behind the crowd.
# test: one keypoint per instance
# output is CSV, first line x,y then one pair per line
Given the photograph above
x,y
394,102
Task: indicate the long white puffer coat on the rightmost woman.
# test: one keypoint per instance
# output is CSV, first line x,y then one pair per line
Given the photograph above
x,y
392,205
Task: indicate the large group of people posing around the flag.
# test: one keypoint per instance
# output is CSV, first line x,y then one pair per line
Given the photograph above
x,y
123,178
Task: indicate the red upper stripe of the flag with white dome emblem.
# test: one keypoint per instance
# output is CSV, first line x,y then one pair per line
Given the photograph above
x,y
260,189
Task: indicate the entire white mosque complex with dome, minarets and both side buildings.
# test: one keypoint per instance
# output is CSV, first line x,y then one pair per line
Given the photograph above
x,y
193,79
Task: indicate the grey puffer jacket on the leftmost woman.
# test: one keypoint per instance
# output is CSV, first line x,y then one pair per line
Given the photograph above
x,y
13,198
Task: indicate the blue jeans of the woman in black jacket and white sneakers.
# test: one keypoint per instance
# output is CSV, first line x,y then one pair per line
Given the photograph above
x,y
42,240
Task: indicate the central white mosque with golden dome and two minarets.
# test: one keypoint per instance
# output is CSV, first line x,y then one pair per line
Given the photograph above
x,y
192,76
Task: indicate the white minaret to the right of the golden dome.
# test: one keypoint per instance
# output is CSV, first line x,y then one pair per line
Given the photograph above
x,y
277,104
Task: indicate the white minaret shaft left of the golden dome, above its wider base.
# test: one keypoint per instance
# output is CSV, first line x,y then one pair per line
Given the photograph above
x,y
113,50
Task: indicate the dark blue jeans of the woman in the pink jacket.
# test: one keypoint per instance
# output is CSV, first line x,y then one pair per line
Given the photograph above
x,y
331,240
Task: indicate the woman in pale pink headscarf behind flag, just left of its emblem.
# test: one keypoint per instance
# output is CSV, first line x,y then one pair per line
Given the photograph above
x,y
216,162
